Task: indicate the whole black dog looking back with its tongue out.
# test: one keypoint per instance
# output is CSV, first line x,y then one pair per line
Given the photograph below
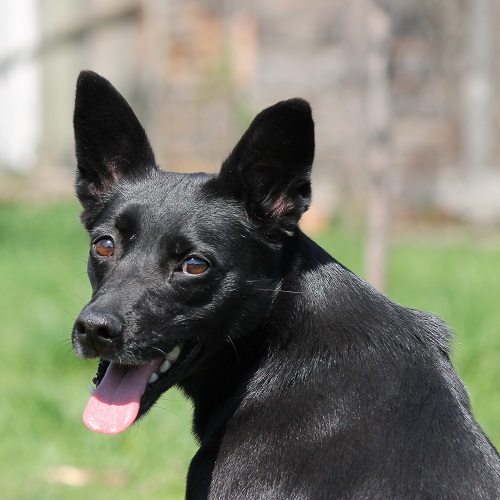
x,y
306,382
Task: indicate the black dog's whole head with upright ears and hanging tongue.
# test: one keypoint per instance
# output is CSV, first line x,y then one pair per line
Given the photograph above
x,y
180,264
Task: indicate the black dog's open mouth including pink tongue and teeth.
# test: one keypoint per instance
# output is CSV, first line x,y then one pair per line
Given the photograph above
x,y
126,392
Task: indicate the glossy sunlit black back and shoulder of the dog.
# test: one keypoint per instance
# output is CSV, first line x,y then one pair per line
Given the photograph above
x,y
354,388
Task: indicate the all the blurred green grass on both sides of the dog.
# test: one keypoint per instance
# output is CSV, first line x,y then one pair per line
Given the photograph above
x,y
44,386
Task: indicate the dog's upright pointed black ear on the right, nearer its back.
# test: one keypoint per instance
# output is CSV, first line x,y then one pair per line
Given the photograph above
x,y
270,167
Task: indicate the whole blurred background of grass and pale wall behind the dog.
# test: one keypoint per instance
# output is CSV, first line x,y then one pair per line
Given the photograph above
x,y
406,187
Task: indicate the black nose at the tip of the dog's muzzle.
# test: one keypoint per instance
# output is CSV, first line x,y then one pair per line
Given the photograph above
x,y
98,331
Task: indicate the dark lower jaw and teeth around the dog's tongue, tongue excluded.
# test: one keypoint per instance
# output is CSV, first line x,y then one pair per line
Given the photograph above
x,y
166,372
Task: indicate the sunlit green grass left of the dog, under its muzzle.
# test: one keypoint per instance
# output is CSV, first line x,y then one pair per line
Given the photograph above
x,y
44,386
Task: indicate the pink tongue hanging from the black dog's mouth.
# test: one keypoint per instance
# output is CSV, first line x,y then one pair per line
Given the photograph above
x,y
115,403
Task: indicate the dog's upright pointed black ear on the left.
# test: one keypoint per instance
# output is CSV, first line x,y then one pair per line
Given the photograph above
x,y
110,142
